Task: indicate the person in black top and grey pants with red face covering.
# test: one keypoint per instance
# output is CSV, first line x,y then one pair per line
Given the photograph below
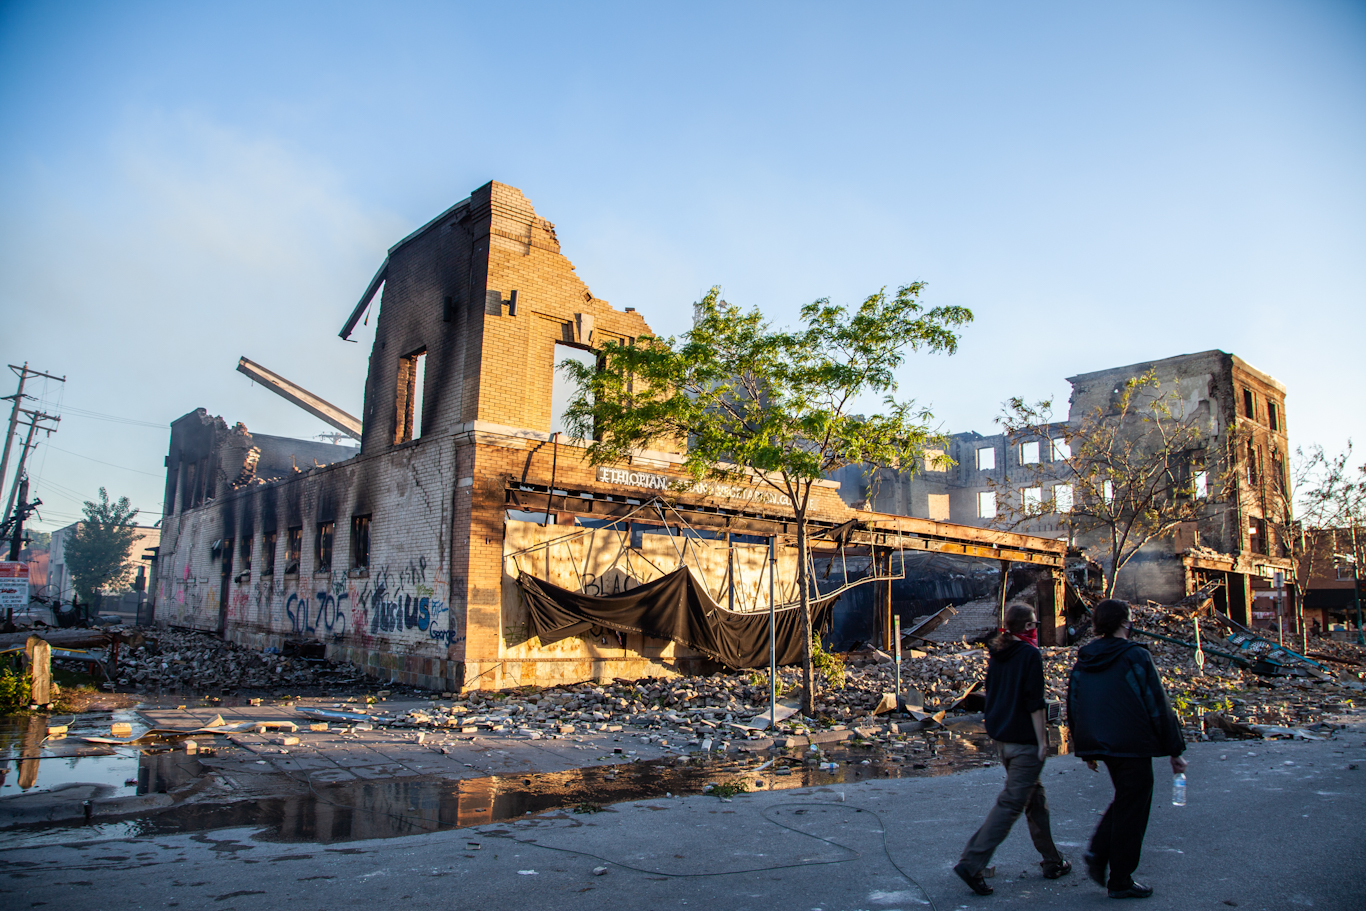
x,y
1017,720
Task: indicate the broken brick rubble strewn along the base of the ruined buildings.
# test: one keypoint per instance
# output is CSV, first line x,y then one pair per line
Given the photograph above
x,y
1214,701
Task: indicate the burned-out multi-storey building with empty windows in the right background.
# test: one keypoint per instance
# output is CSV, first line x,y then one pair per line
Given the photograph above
x,y
1244,536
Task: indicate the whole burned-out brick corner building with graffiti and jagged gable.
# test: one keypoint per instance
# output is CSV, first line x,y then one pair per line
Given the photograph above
x,y
405,557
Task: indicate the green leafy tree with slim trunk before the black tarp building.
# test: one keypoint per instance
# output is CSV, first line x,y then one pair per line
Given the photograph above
x,y
759,405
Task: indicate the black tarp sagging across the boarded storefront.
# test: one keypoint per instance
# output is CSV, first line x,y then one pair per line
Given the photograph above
x,y
674,607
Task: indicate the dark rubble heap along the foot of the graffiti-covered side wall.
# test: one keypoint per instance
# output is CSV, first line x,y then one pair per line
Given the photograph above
x,y
180,660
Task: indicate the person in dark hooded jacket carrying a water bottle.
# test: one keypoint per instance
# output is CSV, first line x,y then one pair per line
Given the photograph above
x,y
1121,716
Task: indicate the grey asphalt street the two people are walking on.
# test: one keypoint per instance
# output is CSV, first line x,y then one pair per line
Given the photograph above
x,y
1270,826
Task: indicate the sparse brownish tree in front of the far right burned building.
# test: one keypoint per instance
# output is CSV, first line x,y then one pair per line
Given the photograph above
x,y
1129,475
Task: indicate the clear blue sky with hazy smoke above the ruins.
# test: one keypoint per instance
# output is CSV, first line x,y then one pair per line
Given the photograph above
x,y
1100,182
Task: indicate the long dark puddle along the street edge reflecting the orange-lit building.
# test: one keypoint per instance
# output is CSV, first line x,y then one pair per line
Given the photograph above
x,y
390,808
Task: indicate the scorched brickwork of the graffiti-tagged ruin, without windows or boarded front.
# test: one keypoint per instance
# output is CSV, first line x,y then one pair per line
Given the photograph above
x,y
430,608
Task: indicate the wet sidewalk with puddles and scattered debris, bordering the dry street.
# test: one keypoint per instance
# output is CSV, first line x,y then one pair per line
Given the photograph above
x,y
352,783
